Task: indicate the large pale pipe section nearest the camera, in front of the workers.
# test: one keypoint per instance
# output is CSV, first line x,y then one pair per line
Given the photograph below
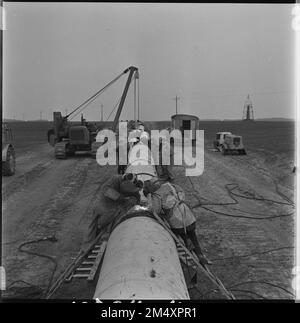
x,y
141,262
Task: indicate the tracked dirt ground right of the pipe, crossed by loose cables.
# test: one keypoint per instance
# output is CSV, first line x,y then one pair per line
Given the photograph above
x,y
250,241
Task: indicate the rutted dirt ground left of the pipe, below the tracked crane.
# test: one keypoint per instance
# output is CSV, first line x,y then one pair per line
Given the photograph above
x,y
46,197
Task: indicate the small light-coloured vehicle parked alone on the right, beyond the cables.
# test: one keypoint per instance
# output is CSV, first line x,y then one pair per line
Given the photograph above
x,y
227,143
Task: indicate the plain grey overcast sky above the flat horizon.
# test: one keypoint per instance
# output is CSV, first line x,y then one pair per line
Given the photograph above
x,y
56,55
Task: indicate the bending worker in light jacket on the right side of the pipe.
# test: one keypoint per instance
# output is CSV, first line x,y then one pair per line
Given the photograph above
x,y
169,198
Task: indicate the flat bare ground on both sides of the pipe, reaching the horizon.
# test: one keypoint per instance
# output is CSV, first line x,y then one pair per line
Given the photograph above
x,y
249,240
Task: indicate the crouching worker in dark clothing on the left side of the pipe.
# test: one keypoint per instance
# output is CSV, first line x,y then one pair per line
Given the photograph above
x,y
117,194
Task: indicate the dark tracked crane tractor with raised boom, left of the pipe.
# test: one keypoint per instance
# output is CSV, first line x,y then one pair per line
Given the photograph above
x,y
67,138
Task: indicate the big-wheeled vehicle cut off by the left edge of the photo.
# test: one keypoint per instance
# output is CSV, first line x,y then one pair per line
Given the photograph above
x,y
8,151
